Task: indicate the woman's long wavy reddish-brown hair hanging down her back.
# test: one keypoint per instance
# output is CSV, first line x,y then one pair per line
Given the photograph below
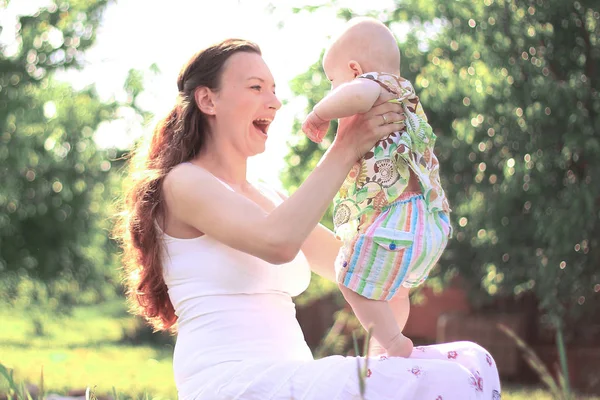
x,y
177,138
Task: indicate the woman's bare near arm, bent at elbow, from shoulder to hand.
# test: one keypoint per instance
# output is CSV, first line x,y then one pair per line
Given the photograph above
x,y
197,198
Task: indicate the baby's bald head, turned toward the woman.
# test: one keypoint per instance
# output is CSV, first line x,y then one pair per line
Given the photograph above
x,y
368,42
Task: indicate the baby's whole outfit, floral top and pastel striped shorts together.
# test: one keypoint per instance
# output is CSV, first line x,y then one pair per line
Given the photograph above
x,y
391,237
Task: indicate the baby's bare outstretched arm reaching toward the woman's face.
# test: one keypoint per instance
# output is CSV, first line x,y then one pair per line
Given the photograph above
x,y
355,97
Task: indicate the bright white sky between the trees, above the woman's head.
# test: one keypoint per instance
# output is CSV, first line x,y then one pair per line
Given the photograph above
x,y
137,34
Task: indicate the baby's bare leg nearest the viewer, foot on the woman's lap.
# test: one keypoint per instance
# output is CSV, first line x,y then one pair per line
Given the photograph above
x,y
378,315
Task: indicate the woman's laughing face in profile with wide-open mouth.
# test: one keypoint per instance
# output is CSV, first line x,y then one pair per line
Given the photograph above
x,y
246,103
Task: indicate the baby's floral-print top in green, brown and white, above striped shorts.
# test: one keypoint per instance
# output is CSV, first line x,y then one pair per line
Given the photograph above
x,y
382,175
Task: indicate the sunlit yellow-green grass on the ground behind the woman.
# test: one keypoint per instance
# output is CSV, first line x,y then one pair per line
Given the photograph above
x,y
87,349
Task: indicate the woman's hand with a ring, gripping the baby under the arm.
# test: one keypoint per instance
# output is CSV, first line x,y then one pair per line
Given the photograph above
x,y
359,133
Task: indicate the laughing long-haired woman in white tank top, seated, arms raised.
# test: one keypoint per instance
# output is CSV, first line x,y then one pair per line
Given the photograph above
x,y
223,257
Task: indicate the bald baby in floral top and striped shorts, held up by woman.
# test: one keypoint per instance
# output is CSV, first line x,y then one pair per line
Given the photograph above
x,y
391,212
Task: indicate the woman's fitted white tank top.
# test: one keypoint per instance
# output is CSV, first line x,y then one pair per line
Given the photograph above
x,y
231,306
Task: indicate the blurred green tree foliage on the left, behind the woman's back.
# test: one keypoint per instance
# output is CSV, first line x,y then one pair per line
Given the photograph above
x,y
56,185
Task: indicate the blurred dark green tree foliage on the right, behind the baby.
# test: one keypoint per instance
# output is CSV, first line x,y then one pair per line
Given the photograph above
x,y
512,91
